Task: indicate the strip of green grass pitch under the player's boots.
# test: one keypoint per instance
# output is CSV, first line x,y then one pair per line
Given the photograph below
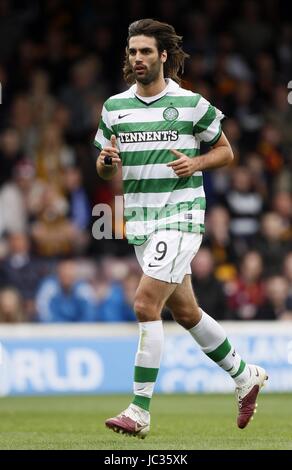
x,y
178,422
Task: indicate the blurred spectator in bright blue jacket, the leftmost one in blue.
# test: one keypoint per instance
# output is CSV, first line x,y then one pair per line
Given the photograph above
x,y
65,298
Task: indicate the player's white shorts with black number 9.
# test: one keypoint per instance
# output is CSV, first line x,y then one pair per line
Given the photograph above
x,y
167,254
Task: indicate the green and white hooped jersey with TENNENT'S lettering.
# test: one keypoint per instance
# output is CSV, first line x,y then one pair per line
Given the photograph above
x,y
154,197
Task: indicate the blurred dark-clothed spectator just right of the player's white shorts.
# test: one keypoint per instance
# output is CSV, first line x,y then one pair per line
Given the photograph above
x,y
209,290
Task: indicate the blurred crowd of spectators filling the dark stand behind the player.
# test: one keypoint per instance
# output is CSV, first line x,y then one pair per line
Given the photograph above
x,y
59,62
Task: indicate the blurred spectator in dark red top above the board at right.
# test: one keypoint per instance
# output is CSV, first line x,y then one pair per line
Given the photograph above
x,y
246,293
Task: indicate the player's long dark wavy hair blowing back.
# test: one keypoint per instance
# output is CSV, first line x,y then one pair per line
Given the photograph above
x,y
166,40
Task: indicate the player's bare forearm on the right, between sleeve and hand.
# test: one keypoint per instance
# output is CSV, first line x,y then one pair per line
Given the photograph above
x,y
219,156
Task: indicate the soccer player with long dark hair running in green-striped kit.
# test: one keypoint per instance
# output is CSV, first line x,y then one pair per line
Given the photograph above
x,y
154,129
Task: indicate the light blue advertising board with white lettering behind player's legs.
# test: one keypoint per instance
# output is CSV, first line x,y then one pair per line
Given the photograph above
x,y
43,366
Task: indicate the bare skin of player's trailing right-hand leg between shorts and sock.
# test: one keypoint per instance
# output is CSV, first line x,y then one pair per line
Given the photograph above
x,y
182,302
